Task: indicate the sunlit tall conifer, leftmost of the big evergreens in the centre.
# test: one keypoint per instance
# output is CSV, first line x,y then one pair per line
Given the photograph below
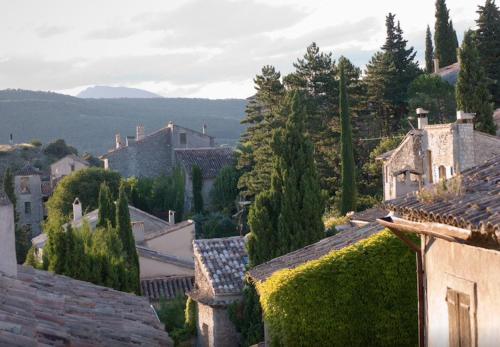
x,y
262,116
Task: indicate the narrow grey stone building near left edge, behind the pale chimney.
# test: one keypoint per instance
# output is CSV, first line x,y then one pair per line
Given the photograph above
x,y
29,205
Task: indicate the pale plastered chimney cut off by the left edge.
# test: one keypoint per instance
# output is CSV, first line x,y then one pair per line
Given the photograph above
x,y
8,262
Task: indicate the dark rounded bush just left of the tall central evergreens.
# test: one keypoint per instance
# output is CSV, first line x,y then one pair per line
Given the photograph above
x,y
225,190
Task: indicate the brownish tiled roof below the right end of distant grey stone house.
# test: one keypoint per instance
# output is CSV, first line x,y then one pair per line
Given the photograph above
x,y
209,160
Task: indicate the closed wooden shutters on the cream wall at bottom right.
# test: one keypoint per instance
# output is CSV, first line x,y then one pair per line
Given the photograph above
x,y
459,318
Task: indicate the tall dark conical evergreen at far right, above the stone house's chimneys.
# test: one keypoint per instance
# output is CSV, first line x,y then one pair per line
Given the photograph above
x,y
472,92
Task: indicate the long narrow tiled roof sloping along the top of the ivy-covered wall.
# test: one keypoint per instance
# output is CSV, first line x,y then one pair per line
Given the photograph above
x,y
314,251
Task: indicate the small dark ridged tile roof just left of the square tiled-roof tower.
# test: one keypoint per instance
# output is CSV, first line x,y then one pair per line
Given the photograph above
x,y
166,287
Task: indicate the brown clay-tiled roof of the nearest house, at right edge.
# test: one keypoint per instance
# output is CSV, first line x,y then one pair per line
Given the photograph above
x,y
477,209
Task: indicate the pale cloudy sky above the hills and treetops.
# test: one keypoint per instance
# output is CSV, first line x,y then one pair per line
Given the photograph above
x,y
194,48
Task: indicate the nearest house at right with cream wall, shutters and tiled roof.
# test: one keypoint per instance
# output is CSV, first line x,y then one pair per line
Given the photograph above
x,y
458,257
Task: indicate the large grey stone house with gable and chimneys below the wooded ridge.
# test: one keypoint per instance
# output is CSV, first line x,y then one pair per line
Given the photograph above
x,y
153,155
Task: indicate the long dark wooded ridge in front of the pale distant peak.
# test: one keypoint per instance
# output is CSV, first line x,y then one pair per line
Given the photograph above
x,y
90,125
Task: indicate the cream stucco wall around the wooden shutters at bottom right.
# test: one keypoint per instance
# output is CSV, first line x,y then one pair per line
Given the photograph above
x,y
467,269
